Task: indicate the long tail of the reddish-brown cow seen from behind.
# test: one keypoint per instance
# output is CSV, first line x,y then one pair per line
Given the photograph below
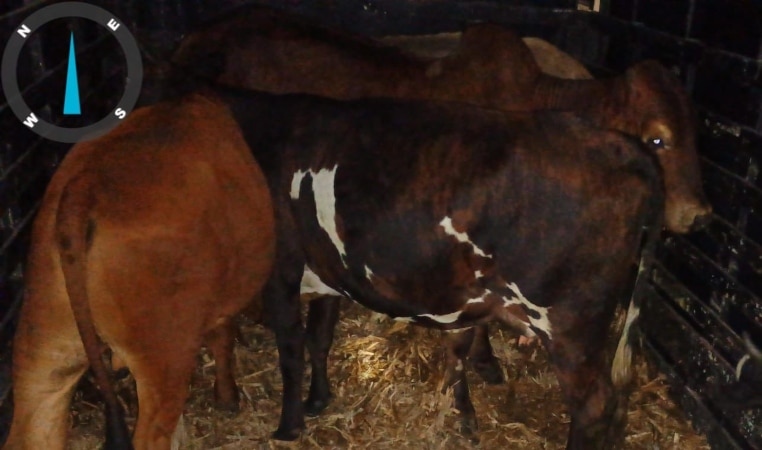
x,y
74,232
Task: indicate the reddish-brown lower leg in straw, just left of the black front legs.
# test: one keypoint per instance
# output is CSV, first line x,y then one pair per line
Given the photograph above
x,y
220,342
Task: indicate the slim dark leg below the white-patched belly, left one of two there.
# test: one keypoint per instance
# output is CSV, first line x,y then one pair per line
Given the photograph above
x,y
458,345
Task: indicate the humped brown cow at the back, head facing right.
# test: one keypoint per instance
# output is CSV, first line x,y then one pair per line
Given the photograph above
x,y
275,52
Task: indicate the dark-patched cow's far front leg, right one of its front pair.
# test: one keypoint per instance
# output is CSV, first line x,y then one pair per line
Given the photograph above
x,y
321,322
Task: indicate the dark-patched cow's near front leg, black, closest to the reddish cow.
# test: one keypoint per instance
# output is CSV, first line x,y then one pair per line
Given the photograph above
x,y
283,310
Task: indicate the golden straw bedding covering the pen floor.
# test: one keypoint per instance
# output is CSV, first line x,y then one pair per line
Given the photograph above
x,y
386,380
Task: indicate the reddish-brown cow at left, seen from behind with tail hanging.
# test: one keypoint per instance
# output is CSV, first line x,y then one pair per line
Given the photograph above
x,y
154,235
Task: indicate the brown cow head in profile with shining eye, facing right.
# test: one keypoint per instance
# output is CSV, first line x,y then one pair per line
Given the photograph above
x,y
666,124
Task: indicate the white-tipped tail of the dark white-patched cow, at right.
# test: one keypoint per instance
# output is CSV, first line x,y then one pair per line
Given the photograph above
x,y
653,222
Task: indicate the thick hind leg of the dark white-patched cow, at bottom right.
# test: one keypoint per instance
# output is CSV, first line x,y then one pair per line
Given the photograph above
x,y
597,410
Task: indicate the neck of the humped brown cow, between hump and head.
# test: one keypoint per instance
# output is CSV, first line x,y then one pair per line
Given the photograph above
x,y
603,101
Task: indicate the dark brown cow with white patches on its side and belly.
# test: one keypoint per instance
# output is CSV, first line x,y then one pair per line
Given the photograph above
x,y
447,215
